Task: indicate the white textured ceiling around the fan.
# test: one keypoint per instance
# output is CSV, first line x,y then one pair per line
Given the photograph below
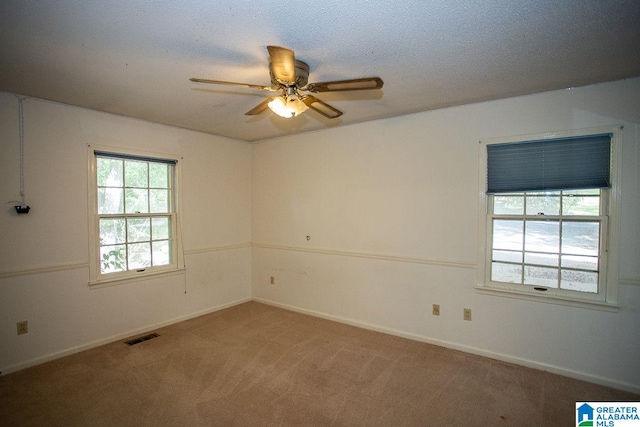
x,y
135,58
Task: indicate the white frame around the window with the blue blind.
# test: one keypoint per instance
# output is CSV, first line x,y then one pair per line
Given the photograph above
x,y
607,296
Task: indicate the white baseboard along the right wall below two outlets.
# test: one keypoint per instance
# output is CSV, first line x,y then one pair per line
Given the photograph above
x,y
632,388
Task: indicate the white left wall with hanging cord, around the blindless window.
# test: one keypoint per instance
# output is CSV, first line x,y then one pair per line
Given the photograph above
x,y
44,255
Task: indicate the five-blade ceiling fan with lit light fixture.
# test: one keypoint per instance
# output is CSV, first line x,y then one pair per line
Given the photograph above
x,y
290,76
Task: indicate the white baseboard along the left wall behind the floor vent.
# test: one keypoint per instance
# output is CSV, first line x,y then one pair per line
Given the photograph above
x,y
114,338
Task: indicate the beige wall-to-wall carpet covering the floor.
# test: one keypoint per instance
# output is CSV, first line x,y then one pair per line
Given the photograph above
x,y
255,365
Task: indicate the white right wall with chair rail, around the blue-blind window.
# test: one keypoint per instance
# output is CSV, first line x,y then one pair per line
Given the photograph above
x,y
391,208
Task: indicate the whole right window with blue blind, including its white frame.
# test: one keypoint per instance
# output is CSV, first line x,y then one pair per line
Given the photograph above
x,y
549,217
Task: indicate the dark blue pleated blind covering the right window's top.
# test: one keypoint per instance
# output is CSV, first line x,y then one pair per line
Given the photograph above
x,y
559,164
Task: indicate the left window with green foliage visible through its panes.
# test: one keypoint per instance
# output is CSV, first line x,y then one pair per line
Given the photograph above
x,y
134,202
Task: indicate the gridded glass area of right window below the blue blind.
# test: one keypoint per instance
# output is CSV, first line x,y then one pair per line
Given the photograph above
x,y
547,240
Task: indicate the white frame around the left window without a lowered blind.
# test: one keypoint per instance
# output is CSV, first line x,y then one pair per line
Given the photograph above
x,y
97,279
